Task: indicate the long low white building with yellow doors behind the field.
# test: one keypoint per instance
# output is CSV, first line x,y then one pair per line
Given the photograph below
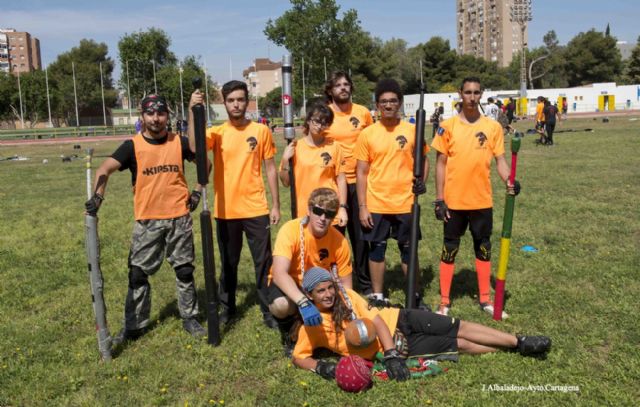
x,y
593,98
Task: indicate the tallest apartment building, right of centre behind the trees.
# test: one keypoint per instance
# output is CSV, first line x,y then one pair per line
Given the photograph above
x,y
484,30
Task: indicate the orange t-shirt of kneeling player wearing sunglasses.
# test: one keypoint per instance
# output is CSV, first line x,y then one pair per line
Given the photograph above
x,y
331,248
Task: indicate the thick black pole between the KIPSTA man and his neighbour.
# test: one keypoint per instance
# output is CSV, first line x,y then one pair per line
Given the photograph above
x,y
209,266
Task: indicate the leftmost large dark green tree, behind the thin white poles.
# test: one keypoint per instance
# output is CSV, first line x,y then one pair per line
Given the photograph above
x,y
86,58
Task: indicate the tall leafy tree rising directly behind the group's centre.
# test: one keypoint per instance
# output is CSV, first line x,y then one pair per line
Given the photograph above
x,y
312,30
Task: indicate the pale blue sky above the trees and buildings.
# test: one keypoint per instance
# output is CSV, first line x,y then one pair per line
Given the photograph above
x,y
227,34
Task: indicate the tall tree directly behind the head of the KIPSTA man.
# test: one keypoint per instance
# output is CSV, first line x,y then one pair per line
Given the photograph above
x,y
140,53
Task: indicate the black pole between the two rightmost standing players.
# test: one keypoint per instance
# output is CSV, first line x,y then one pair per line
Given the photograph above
x,y
418,173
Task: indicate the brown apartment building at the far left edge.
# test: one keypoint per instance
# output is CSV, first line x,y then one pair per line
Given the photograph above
x,y
19,51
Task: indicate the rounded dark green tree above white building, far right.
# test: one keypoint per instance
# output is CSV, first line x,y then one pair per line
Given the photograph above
x,y
592,57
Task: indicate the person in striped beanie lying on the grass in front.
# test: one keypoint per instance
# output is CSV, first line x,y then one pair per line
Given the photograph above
x,y
428,335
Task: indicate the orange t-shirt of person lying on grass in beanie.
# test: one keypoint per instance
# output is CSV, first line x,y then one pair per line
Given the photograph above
x,y
325,335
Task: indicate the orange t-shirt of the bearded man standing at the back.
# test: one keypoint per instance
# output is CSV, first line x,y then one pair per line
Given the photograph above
x,y
345,130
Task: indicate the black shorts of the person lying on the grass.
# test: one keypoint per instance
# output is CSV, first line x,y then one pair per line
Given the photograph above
x,y
430,335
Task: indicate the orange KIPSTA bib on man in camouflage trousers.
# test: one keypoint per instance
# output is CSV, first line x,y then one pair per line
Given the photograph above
x,y
161,190
